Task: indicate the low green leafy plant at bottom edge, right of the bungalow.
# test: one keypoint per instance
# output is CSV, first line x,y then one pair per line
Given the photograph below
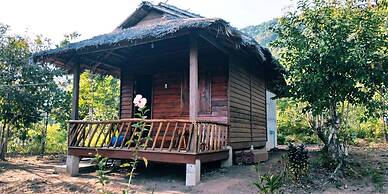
x,y
268,183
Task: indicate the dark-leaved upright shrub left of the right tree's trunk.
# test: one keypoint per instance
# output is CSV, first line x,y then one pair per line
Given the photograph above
x,y
297,162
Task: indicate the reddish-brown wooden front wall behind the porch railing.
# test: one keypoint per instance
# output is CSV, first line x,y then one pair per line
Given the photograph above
x,y
172,102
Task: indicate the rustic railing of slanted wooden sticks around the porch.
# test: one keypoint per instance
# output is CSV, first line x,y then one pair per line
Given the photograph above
x,y
163,135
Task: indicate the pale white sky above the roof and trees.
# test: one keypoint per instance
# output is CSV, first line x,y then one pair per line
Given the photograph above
x,y
55,18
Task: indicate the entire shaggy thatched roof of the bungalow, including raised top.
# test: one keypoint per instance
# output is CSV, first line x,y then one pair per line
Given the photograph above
x,y
184,24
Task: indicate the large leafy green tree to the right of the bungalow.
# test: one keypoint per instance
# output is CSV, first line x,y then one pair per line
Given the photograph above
x,y
335,55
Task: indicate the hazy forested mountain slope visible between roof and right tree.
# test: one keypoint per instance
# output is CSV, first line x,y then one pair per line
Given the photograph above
x,y
262,32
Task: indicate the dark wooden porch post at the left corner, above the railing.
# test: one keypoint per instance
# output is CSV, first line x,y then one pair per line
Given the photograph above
x,y
75,101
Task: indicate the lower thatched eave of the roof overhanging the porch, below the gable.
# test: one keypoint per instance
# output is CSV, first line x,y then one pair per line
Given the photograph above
x,y
216,31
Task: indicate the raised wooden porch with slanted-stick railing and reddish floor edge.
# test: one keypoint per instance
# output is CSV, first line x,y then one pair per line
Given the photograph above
x,y
171,141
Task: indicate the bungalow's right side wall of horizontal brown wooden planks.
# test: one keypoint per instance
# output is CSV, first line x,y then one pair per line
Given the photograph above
x,y
246,105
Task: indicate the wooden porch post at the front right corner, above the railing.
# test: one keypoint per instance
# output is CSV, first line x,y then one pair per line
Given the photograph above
x,y
193,82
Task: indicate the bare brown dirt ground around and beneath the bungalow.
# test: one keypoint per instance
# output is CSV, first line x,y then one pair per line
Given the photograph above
x,y
34,175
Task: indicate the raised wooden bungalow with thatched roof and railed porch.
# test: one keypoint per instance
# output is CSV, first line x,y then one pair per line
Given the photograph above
x,y
205,82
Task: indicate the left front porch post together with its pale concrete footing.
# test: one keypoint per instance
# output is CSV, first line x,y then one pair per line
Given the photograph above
x,y
72,162
